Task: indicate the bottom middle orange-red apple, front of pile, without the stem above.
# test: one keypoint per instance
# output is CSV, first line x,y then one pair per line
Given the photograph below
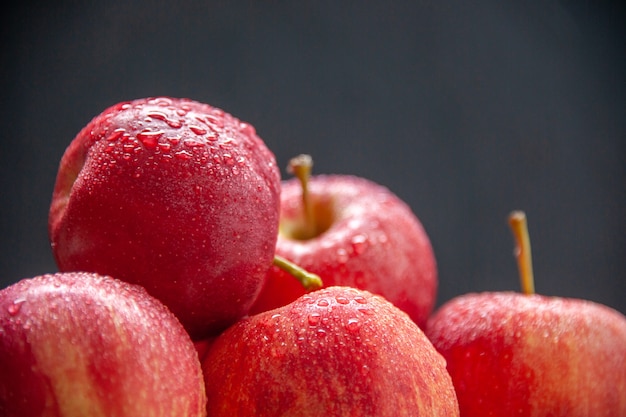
x,y
336,352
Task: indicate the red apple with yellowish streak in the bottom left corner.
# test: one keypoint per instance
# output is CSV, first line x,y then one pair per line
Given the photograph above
x,y
79,344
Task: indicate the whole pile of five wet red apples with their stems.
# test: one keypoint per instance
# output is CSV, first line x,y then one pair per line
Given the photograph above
x,y
193,281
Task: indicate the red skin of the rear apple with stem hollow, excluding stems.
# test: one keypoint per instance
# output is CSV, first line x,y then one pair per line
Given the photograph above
x,y
373,241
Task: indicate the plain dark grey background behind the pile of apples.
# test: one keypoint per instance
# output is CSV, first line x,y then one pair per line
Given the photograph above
x,y
465,111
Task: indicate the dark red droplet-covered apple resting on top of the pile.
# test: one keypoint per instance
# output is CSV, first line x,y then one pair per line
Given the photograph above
x,y
175,195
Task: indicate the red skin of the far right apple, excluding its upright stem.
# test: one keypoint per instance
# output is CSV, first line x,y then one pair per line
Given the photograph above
x,y
531,355
